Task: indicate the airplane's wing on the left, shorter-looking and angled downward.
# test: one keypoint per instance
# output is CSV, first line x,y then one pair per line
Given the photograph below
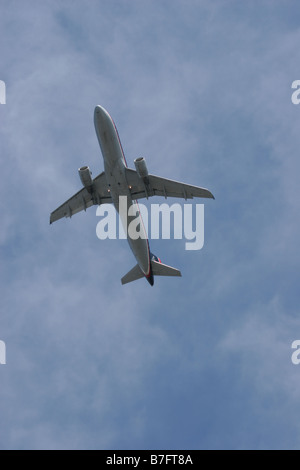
x,y
84,199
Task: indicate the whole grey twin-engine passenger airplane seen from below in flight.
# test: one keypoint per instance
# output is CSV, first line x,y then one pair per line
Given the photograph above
x,y
119,180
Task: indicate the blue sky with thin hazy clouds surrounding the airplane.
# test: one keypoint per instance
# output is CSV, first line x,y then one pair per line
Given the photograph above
x,y
202,90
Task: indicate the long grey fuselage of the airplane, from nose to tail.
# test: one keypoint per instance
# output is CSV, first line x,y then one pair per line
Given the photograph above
x,y
115,172
